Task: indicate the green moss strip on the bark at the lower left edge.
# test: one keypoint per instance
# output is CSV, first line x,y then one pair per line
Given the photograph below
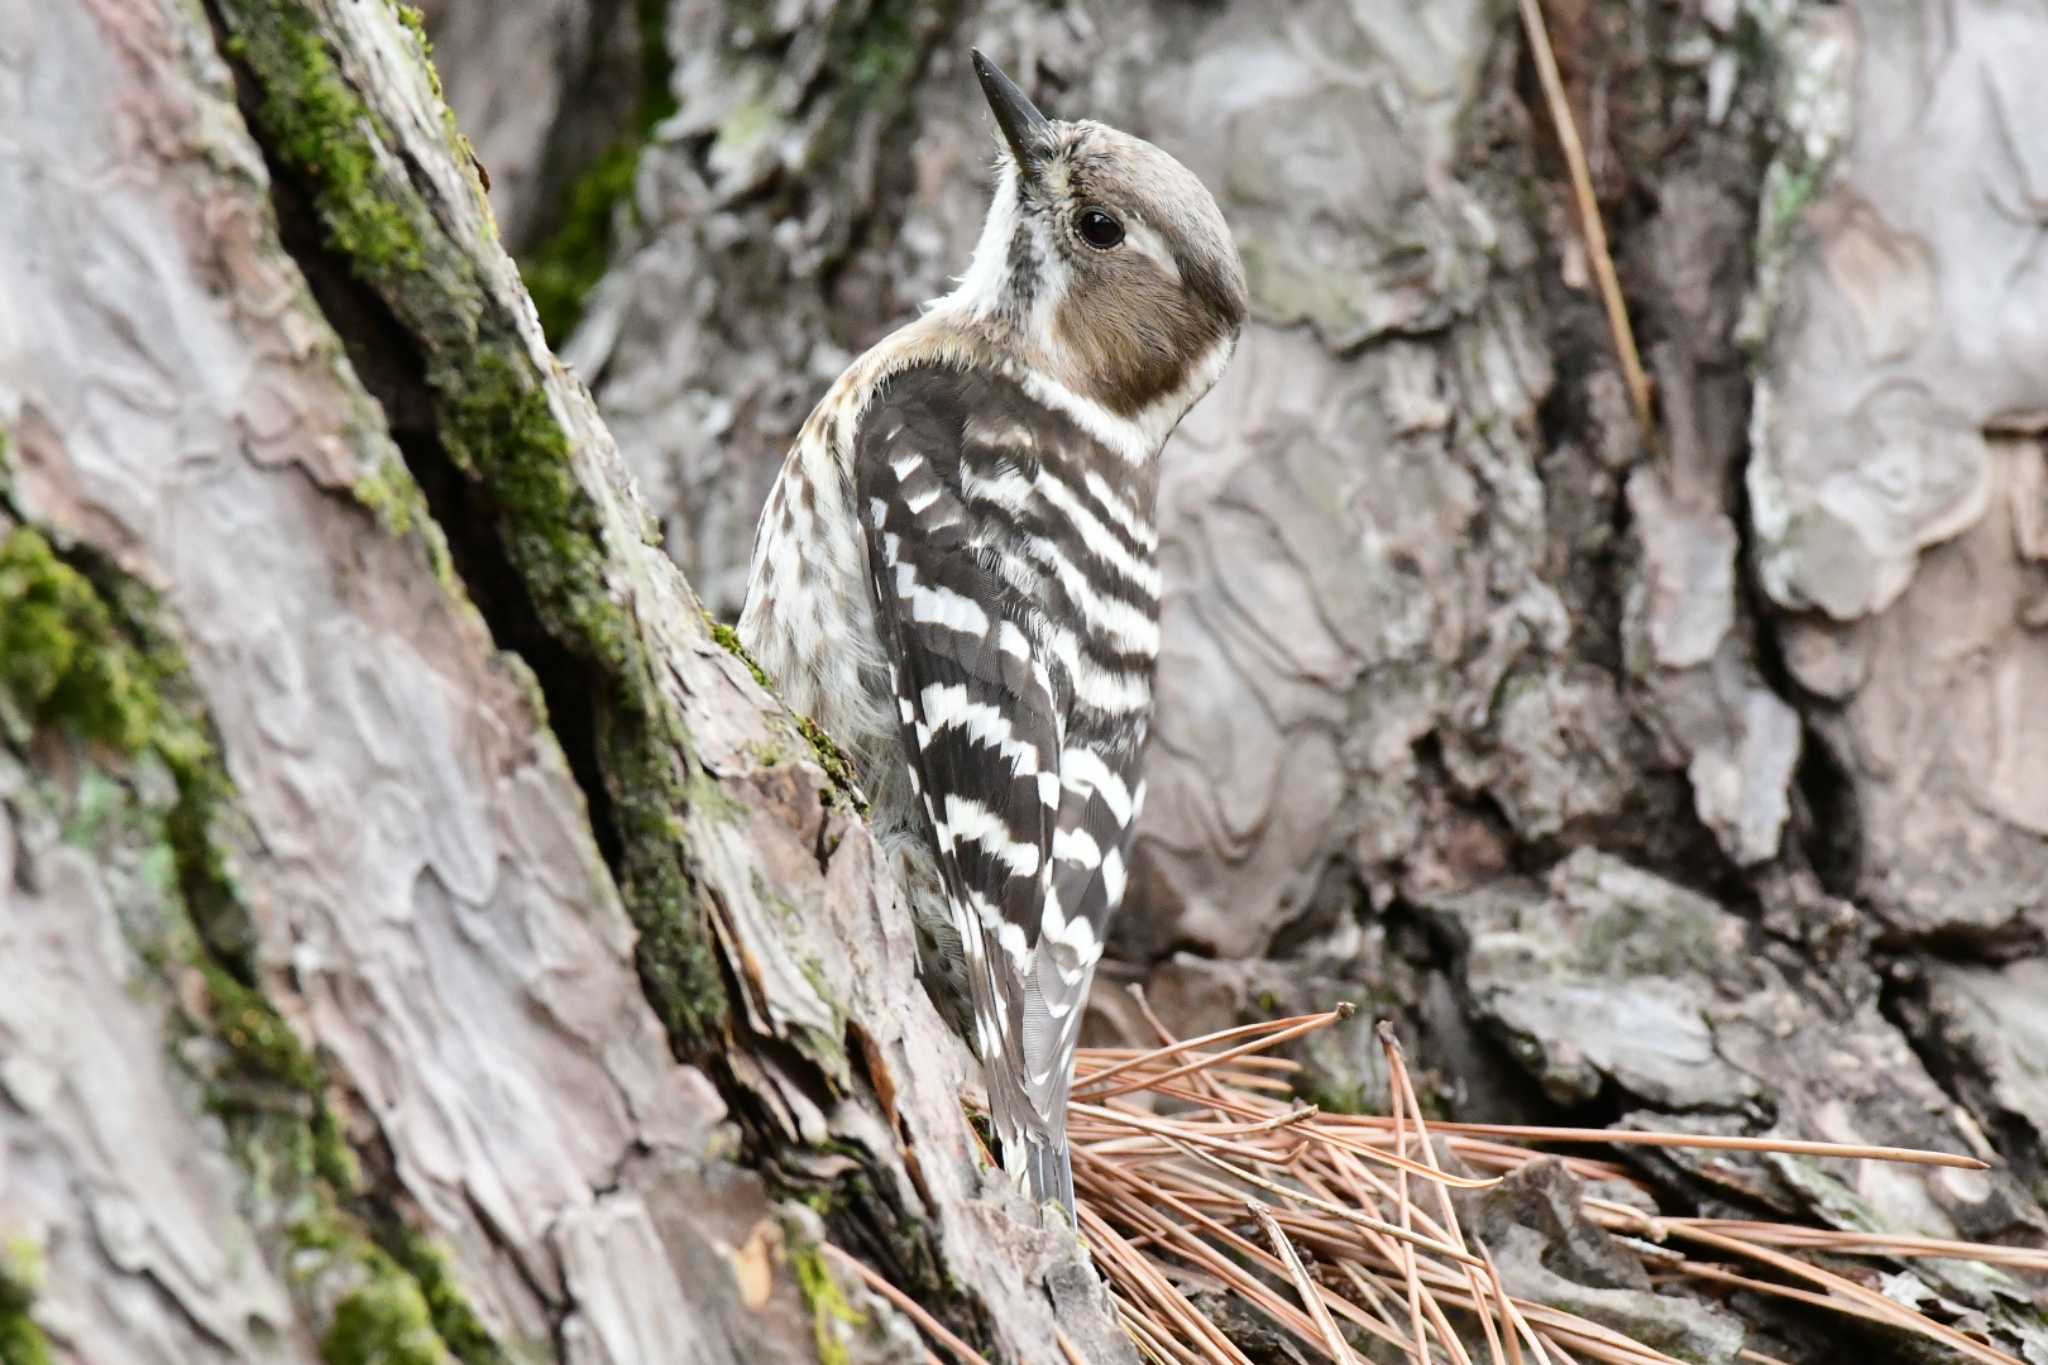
x,y
83,656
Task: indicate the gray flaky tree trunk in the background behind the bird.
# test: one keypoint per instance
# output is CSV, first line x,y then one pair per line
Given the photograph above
x,y
1680,781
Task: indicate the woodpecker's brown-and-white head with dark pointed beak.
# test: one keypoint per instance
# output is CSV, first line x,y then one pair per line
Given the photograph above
x,y
1105,263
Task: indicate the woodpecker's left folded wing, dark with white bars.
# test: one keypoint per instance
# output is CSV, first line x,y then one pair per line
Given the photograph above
x,y
976,699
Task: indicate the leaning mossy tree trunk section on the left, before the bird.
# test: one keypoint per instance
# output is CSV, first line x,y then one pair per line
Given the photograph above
x,y
425,938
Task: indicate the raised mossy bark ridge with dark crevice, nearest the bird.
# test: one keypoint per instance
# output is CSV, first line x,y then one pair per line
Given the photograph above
x,y
542,533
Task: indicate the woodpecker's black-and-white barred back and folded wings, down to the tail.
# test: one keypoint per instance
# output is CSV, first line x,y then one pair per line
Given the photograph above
x,y
1019,601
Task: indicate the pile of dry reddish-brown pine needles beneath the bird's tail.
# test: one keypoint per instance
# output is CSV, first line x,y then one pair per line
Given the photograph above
x,y
1199,1178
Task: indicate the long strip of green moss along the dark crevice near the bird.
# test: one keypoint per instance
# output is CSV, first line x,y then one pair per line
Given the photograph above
x,y
499,429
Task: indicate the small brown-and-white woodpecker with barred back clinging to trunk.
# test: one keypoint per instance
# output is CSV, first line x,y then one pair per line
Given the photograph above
x,y
957,576
